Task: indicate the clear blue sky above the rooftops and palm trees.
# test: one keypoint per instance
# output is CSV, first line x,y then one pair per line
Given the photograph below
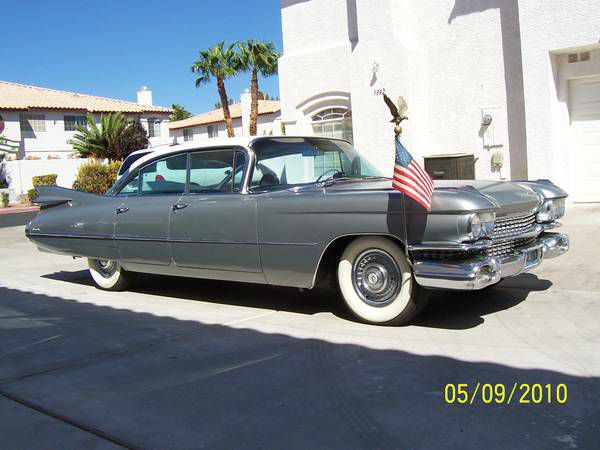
x,y
111,48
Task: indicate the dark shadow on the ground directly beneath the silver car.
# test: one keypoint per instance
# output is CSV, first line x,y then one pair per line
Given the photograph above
x,y
446,309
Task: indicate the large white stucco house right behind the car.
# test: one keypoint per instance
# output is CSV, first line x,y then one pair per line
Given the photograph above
x,y
533,67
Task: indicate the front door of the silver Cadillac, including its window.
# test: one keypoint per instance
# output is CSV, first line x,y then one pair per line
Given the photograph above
x,y
214,225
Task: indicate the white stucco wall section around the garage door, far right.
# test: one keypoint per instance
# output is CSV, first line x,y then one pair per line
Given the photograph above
x,y
550,30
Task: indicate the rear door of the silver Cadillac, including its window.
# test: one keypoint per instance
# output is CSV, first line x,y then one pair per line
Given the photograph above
x,y
142,218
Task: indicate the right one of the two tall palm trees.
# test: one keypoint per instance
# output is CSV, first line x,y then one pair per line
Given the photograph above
x,y
257,57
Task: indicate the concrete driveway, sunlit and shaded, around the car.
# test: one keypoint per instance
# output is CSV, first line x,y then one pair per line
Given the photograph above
x,y
180,363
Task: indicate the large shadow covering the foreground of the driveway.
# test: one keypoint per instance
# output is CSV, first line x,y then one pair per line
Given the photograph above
x,y
142,380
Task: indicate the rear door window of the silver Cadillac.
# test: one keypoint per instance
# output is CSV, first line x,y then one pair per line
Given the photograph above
x,y
165,176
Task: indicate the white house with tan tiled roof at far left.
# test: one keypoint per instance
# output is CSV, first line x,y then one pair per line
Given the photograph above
x,y
42,120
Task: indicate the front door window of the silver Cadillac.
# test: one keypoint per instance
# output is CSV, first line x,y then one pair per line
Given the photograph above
x,y
214,170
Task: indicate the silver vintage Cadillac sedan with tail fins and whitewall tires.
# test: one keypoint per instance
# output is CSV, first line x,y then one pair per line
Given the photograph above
x,y
302,212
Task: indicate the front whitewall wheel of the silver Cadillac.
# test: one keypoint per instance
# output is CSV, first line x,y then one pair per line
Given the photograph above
x,y
376,282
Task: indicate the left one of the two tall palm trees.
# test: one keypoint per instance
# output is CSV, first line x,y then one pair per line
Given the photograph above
x,y
219,62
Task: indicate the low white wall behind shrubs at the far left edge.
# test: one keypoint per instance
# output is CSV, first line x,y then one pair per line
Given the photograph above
x,y
19,173
